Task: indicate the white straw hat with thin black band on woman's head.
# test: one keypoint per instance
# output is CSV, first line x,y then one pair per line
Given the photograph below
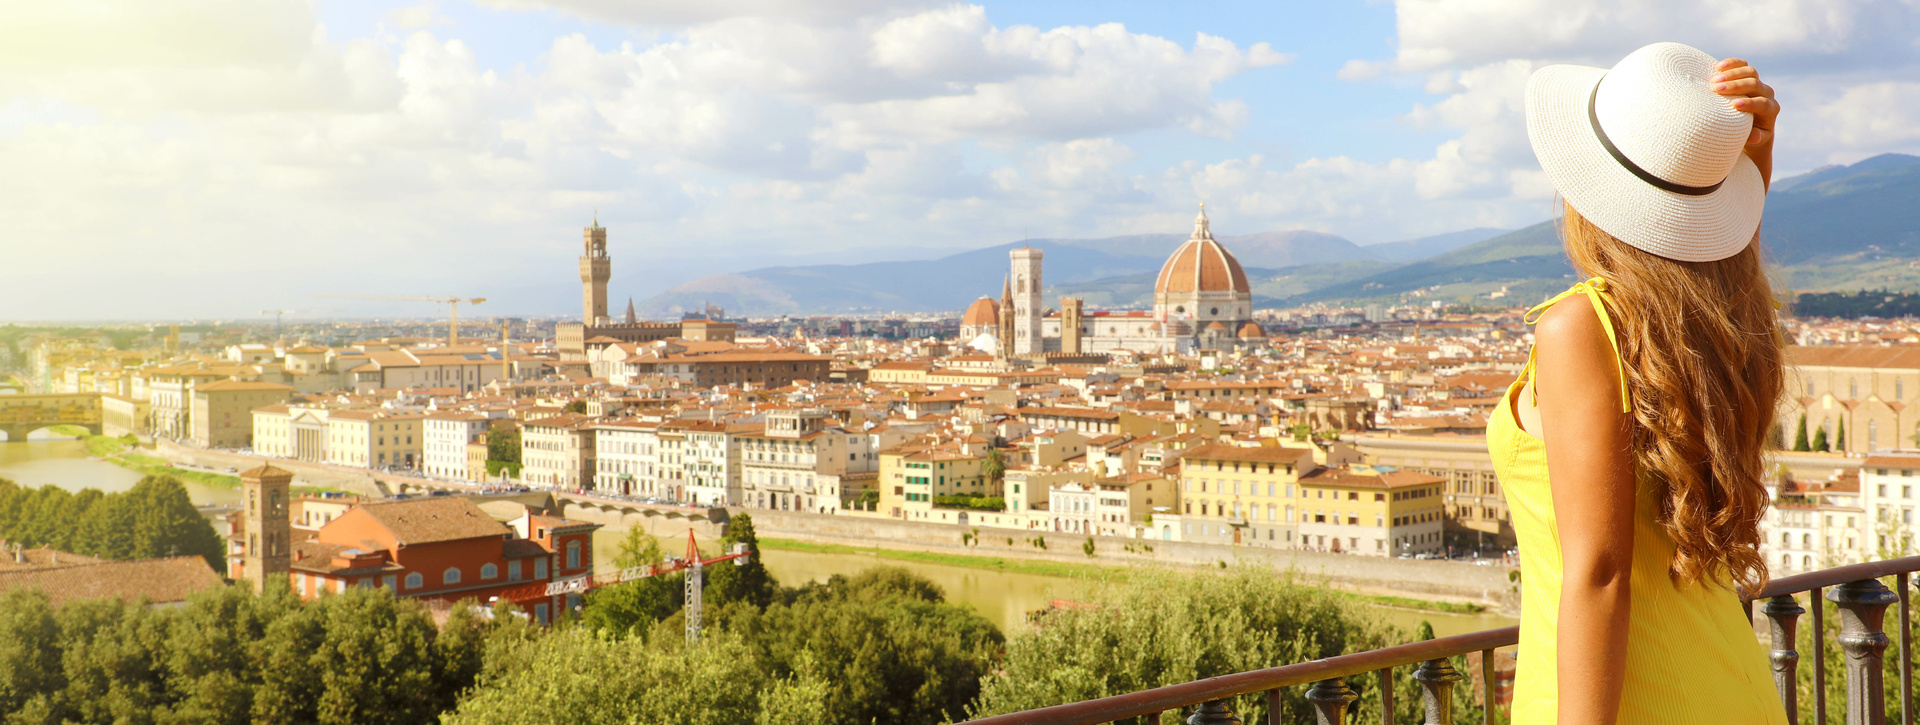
x,y
1648,152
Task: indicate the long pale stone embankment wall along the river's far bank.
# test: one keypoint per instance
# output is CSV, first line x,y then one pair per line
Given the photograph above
x,y
1372,574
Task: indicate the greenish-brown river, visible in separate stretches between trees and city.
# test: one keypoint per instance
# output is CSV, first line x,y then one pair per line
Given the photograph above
x,y
1003,597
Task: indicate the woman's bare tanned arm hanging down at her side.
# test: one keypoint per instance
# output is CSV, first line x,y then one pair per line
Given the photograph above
x,y
1593,473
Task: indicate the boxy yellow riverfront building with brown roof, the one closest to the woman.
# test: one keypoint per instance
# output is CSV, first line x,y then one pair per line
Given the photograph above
x,y
1372,511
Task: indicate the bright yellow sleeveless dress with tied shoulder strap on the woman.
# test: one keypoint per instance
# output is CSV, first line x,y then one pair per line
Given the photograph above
x,y
1691,655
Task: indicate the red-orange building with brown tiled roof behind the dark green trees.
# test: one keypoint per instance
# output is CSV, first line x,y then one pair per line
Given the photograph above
x,y
448,550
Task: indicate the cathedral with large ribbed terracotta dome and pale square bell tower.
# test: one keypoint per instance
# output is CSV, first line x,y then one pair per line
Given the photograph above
x,y
1201,302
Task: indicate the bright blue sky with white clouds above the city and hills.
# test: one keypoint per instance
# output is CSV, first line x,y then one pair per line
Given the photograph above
x,y
218,158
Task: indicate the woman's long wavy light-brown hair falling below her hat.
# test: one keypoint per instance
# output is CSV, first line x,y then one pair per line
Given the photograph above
x,y
1704,363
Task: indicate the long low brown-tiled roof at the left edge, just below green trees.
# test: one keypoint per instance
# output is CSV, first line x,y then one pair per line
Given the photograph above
x,y
158,580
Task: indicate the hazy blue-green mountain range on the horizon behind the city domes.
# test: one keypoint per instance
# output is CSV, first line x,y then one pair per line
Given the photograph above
x,y
1831,229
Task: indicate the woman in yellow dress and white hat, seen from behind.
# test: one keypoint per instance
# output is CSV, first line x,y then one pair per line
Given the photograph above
x,y
1631,448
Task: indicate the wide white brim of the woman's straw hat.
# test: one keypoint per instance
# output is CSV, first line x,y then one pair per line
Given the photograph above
x,y
1608,195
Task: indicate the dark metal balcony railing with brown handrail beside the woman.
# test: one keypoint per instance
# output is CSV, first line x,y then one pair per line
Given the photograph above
x,y
1856,590
